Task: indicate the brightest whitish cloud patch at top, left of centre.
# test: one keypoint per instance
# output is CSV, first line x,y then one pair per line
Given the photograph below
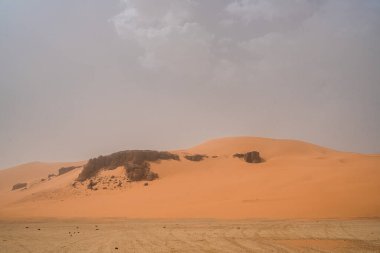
x,y
172,41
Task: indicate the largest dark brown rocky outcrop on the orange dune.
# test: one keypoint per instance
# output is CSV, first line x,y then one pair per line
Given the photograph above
x,y
136,163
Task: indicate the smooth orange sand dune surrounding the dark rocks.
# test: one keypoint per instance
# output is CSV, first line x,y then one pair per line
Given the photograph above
x,y
297,180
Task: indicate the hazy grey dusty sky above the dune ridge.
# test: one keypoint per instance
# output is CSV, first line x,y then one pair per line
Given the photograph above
x,y
90,77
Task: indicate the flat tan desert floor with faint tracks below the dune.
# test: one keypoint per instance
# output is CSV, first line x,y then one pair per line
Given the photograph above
x,y
190,236
